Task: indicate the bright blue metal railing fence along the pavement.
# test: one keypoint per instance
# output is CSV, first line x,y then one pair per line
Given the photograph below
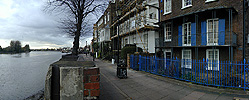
x,y
213,73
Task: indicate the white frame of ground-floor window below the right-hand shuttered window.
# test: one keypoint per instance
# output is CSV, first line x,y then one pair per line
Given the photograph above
x,y
210,65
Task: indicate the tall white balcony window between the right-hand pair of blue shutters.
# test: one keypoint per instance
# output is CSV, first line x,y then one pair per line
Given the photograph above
x,y
212,31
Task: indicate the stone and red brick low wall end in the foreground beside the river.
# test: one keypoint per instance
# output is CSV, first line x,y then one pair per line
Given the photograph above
x,y
72,80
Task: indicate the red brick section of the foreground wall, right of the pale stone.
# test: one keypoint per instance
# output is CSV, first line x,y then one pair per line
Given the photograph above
x,y
91,83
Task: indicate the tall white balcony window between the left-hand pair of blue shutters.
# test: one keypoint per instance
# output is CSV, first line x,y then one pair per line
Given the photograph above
x,y
186,36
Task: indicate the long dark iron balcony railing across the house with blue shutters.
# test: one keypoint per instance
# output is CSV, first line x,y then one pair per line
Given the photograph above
x,y
197,40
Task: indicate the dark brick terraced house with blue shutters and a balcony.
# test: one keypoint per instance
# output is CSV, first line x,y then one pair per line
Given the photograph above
x,y
197,29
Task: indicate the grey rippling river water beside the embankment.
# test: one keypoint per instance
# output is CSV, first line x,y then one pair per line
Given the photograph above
x,y
22,75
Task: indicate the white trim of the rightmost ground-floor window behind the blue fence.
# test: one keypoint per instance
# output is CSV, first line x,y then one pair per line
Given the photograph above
x,y
211,68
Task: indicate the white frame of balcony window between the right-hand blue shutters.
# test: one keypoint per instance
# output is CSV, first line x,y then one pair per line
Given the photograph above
x,y
214,40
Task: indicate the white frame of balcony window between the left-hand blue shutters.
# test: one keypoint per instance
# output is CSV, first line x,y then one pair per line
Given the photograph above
x,y
188,34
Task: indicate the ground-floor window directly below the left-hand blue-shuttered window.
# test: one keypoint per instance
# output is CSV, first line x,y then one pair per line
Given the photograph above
x,y
186,58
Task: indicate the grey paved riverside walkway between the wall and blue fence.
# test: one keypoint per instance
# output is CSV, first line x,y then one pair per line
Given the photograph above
x,y
145,86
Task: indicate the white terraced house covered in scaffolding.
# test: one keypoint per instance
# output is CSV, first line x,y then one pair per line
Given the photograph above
x,y
135,24
